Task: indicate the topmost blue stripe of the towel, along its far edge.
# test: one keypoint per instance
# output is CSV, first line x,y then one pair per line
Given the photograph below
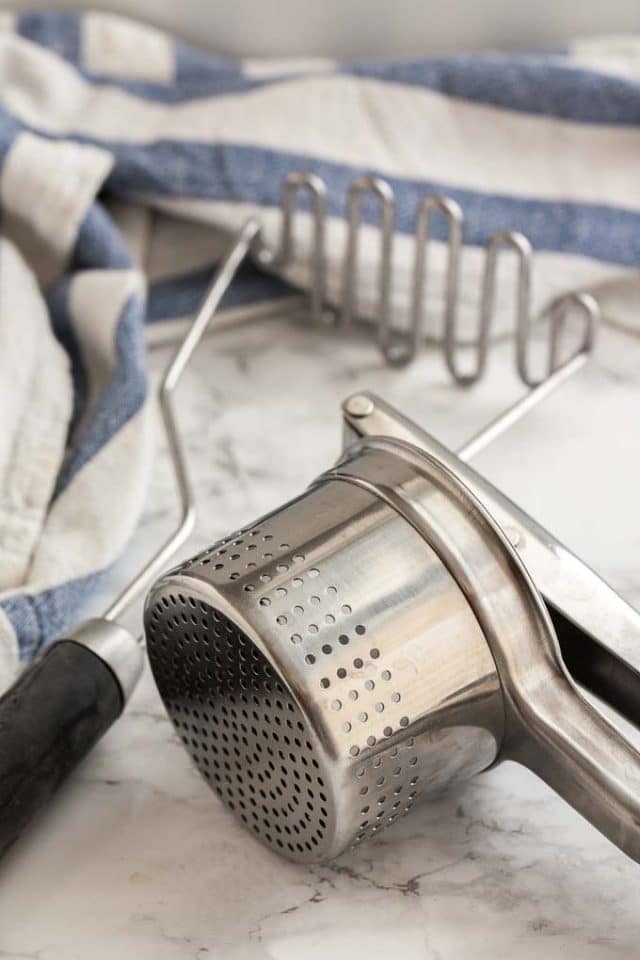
x,y
541,85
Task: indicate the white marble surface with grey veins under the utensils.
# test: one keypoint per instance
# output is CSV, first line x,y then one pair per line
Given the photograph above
x,y
137,859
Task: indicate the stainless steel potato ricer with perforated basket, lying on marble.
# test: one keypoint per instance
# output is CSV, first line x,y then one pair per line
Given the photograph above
x,y
399,626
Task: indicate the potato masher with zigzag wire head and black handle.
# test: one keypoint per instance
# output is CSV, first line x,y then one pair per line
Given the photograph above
x,y
63,703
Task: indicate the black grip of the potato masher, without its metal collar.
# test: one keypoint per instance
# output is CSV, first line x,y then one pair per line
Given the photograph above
x,y
49,720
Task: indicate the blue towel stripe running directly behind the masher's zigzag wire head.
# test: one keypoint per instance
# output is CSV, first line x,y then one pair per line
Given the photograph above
x,y
253,175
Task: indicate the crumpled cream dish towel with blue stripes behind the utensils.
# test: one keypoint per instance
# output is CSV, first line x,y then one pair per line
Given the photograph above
x,y
127,156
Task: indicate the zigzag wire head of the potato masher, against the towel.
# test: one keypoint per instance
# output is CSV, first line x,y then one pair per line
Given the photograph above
x,y
303,208
